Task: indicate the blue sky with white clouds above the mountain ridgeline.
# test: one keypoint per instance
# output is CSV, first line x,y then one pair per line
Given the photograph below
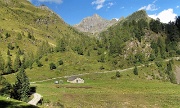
x,y
73,11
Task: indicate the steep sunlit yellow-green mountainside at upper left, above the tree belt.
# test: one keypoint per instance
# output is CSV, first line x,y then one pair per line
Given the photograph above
x,y
26,26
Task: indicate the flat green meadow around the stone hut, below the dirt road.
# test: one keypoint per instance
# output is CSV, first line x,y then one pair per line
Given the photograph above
x,y
99,90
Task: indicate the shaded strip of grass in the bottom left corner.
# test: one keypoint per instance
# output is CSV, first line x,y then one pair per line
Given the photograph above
x,y
11,103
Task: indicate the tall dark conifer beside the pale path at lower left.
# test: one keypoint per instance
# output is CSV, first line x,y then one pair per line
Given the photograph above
x,y
21,88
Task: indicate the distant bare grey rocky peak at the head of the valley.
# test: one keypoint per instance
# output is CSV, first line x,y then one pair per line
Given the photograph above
x,y
94,24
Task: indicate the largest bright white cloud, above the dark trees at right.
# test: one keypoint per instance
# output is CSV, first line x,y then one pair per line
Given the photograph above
x,y
165,16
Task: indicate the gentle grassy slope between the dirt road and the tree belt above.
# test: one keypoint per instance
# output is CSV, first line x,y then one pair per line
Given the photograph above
x,y
73,64
